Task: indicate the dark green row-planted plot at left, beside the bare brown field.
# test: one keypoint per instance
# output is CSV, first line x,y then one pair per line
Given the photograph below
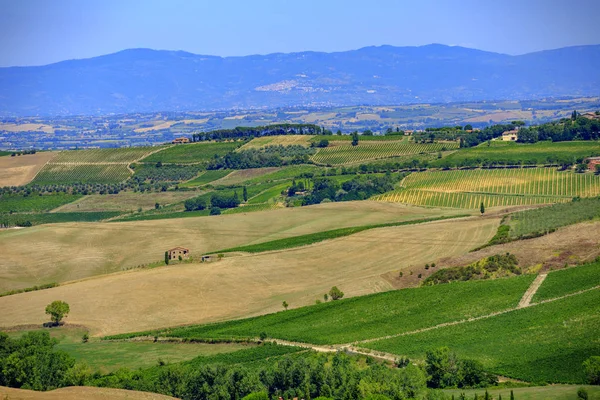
x,y
53,174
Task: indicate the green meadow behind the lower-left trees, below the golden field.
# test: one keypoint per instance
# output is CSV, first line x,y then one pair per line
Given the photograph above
x,y
104,356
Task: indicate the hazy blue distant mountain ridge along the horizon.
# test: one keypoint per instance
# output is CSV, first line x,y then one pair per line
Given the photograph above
x,y
144,80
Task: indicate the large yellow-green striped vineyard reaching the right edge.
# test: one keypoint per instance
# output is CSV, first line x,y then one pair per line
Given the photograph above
x,y
500,187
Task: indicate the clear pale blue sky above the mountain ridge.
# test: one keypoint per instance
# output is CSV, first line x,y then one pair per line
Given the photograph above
x,y
38,32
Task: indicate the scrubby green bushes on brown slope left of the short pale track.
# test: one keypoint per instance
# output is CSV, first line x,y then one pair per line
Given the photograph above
x,y
500,265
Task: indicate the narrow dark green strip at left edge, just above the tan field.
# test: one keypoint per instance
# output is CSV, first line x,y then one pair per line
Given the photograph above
x,y
51,218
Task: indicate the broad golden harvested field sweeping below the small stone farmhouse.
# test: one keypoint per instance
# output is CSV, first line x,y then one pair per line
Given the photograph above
x,y
246,285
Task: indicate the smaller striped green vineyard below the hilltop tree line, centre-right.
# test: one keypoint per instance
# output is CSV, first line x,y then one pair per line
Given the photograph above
x,y
345,153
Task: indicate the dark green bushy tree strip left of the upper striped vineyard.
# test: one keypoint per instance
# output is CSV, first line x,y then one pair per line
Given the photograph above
x,y
269,156
